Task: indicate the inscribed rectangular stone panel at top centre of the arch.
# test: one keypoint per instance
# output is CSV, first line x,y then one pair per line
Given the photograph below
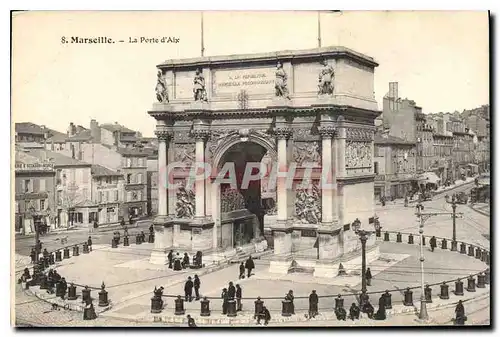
x,y
230,82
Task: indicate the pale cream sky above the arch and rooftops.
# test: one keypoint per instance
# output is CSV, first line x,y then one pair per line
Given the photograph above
x,y
440,59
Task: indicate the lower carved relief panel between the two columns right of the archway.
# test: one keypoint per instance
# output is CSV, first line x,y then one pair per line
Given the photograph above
x,y
308,205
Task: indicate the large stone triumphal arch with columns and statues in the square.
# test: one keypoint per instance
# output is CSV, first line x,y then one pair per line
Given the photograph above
x,y
279,144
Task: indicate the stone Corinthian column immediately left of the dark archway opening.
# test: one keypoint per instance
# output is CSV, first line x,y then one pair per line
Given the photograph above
x,y
200,136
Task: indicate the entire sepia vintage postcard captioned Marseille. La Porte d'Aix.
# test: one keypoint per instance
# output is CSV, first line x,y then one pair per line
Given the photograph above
x,y
250,169
